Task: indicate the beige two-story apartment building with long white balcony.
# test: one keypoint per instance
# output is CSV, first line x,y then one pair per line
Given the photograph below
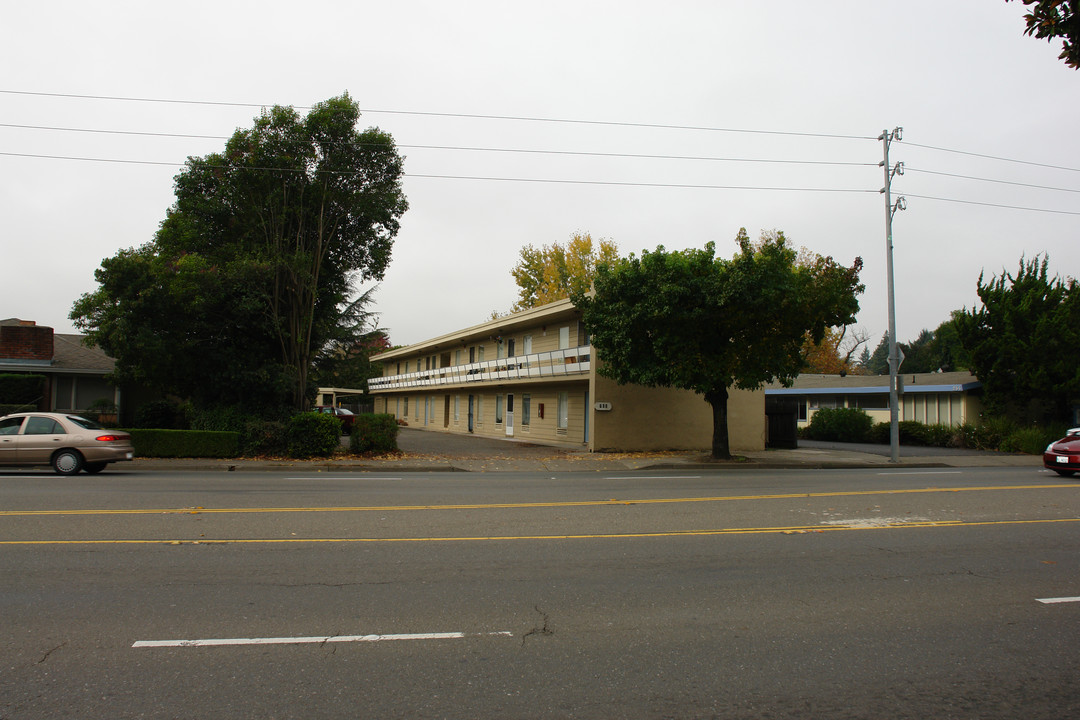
x,y
534,376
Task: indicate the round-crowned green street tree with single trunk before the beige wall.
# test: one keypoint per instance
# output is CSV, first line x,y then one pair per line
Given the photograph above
x,y
693,321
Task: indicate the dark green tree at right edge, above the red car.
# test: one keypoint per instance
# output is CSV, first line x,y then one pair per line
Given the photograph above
x,y
1023,343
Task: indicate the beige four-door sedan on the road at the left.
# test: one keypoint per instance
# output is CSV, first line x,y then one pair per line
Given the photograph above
x,y
66,442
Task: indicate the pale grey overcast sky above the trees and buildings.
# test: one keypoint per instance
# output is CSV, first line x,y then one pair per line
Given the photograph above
x,y
813,85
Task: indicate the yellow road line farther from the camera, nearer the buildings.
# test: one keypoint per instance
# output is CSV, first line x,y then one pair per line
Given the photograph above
x,y
526,506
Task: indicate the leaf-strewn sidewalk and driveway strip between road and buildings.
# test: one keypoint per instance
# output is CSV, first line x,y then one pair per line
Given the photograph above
x,y
435,452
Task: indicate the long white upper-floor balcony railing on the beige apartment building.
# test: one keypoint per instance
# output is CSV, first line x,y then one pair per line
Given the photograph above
x,y
558,363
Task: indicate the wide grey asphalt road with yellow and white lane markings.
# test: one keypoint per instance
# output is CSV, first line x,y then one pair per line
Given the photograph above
x,y
854,594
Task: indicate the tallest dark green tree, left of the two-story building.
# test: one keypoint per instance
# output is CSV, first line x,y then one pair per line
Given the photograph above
x,y
273,235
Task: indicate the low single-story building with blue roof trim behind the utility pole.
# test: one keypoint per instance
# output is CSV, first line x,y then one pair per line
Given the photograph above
x,y
946,399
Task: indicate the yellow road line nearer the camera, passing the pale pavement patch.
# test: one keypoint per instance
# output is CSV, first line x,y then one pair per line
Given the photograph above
x,y
792,531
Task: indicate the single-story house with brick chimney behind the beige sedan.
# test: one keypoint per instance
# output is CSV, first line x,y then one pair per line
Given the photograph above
x,y
75,374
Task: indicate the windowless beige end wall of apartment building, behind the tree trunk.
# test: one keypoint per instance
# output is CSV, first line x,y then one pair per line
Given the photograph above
x,y
666,419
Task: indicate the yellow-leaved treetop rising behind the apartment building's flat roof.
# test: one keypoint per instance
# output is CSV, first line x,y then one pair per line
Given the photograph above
x,y
559,271
